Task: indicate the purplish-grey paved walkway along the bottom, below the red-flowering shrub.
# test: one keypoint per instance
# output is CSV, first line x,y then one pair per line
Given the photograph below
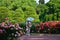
x,y
41,37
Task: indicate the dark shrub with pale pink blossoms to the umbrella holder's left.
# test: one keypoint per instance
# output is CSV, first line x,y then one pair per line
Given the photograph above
x,y
10,30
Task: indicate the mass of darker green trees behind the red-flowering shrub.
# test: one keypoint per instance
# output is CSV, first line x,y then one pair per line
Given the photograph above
x,y
51,9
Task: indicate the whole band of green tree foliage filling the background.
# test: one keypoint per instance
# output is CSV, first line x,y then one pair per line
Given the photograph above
x,y
20,10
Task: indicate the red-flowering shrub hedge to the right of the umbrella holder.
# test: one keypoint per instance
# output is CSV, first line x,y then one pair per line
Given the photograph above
x,y
49,27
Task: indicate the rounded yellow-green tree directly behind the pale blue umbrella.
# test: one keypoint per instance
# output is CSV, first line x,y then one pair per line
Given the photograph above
x,y
31,12
